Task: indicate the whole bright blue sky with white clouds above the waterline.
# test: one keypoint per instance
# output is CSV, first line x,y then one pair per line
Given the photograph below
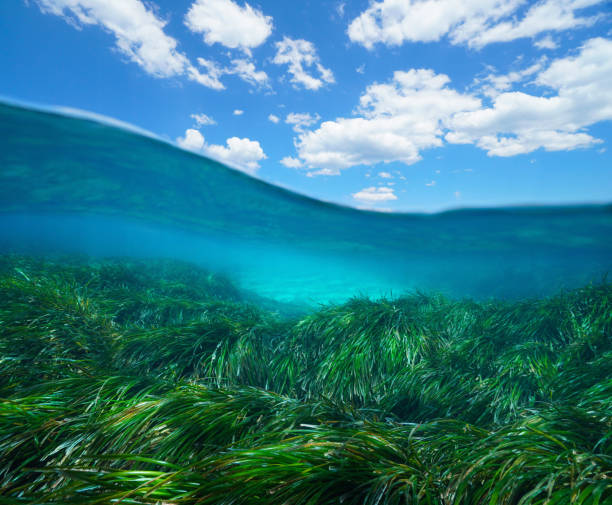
x,y
405,105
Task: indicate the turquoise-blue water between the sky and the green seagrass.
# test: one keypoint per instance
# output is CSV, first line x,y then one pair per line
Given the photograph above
x,y
73,185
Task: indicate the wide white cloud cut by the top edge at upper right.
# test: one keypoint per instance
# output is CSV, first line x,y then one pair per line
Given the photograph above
x,y
472,22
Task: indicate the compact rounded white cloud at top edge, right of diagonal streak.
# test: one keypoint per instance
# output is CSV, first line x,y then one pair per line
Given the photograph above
x,y
227,23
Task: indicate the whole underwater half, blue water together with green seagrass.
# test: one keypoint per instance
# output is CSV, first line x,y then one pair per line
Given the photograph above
x,y
175,332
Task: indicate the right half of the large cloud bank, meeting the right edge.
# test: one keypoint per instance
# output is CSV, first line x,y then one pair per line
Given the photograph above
x,y
519,123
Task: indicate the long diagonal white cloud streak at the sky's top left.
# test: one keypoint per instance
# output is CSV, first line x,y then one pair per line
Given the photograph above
x,y
139,35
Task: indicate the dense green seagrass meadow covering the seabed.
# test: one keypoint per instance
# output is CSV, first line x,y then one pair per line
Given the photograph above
x,y
159,382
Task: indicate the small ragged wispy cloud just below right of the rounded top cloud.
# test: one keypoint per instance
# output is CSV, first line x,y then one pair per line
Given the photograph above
x,y
301,56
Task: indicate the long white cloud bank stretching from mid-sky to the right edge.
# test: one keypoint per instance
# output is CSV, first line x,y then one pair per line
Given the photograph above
x,y
418,110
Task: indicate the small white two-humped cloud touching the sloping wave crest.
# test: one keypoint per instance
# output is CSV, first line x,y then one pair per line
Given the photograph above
x,y
243,154
